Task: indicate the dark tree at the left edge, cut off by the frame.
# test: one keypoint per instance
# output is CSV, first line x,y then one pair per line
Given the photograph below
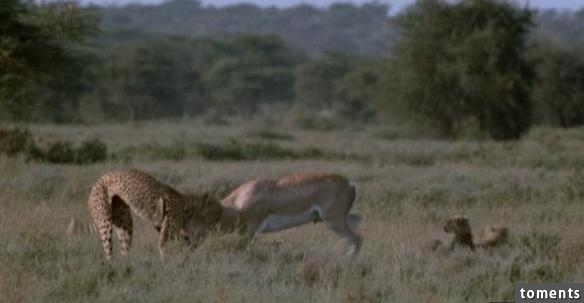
x,y
41,58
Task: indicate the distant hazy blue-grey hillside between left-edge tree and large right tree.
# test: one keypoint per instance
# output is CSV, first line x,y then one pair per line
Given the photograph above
x,y
341,27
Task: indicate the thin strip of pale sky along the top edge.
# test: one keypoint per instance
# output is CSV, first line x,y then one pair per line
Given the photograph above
x,y
395,4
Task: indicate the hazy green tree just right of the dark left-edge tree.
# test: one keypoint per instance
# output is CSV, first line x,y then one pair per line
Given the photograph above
x,y
154,78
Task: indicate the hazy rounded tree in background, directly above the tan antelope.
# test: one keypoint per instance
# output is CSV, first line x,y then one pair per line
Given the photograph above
x,y
259,69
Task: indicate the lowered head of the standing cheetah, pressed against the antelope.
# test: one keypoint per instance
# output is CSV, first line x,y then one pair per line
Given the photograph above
x,y
204,212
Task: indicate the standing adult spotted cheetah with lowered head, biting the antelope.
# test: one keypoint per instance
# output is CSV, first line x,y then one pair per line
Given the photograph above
x,y
116,194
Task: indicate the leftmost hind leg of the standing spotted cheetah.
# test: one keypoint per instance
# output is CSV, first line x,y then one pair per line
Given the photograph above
x,y
101,213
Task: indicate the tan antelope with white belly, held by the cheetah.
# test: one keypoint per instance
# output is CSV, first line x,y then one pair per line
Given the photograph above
x,y
262,206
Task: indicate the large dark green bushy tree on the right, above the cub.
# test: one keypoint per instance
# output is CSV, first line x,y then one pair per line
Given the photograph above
x,y
461,62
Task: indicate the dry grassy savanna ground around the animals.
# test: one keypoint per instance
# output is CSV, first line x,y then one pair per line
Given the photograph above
x,y
408,187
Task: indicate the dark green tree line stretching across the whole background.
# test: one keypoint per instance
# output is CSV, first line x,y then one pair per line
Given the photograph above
x,y
485,66
